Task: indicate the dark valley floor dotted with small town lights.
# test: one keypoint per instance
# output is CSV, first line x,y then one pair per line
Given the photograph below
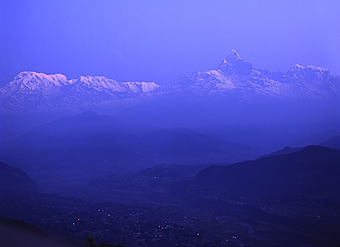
x,y
159,215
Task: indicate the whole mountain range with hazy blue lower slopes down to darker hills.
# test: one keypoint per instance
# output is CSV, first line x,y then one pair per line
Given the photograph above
x,y
236,101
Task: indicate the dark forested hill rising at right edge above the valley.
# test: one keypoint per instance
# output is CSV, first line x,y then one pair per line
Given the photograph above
x,y
314,170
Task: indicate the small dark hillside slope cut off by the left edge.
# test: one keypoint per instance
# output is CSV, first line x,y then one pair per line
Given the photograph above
x,y
13,179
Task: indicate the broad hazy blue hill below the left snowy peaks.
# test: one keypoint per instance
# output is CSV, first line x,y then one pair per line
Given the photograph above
x,y
91,141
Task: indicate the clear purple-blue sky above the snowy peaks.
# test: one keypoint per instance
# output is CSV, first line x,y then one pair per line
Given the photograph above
x,y
162,41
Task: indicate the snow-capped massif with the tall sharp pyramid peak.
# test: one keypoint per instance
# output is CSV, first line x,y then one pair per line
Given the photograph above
x,y
234,75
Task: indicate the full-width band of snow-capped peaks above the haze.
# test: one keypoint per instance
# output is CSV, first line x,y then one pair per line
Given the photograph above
x,y
234,79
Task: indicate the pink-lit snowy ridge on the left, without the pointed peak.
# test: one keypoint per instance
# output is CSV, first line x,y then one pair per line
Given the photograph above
x,y
30,91
